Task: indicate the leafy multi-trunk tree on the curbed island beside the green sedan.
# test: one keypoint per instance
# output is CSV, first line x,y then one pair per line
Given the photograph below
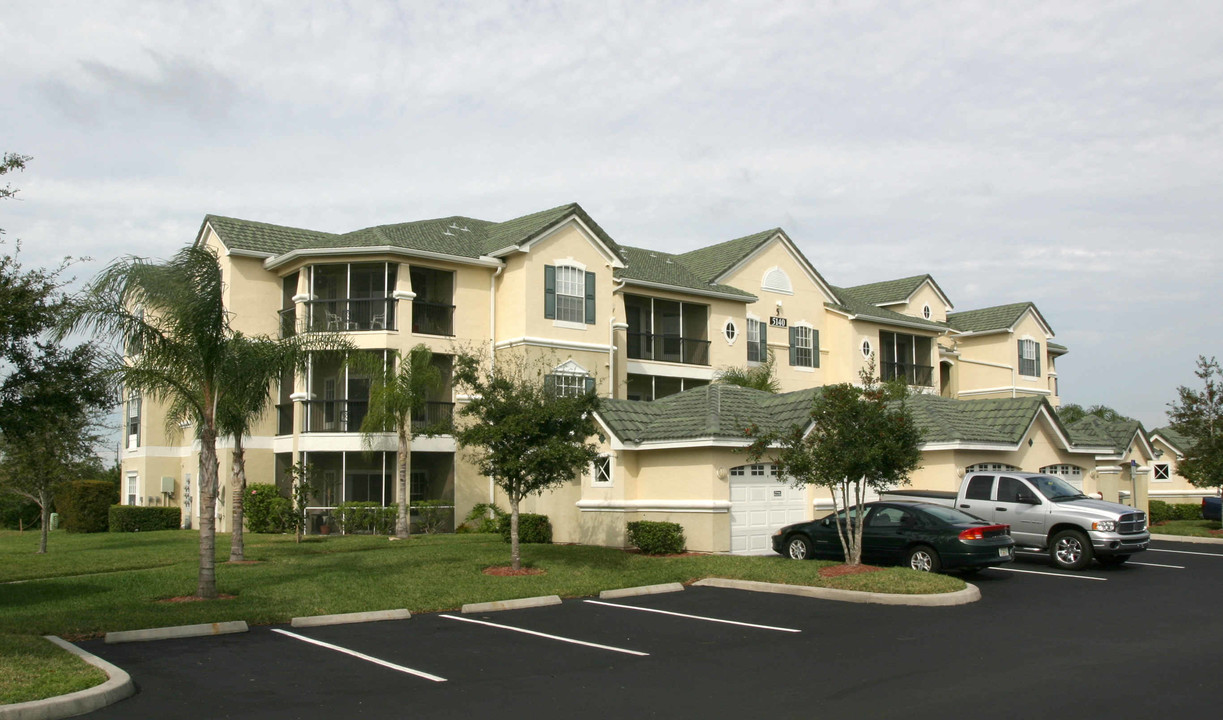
x,y
862,438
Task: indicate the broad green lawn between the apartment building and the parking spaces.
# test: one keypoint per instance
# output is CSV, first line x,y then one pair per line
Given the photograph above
x,y
89,585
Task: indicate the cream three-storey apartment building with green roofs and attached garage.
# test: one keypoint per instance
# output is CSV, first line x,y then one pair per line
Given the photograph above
x,y
648,329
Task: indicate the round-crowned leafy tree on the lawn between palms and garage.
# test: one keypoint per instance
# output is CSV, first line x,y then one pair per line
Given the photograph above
x,y
527,436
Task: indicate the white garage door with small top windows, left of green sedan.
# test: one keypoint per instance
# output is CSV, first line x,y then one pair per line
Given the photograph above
x,y
759,507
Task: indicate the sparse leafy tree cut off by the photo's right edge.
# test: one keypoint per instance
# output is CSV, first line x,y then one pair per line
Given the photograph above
x,y
1198,415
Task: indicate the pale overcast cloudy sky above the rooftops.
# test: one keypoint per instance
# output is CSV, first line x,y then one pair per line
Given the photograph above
x,y
1071,155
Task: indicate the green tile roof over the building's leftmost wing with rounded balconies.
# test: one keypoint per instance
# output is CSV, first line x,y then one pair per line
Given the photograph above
x,y
457,235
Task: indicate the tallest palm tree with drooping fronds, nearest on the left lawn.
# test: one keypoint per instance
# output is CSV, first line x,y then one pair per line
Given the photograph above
x,y
172,321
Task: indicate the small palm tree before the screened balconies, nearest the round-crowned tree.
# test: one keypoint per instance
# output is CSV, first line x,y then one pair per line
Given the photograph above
x,y
399,389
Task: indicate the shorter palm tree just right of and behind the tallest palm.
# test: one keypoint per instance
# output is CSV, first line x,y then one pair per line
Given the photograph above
x,y
253,366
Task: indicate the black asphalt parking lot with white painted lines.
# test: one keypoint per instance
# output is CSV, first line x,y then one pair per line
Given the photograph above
x,y
1143,639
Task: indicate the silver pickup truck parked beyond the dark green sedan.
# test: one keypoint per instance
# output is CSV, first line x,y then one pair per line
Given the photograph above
x,y
1047,515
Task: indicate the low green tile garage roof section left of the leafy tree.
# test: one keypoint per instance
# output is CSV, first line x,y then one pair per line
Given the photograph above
x,y
717,411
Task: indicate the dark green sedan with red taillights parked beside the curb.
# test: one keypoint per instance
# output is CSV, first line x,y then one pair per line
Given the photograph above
x,y
922,536
